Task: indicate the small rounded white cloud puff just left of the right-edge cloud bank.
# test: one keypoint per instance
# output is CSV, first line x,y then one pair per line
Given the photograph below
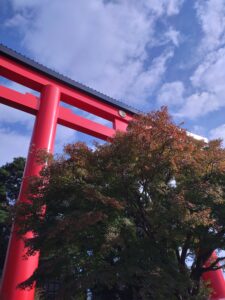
x,y
171,94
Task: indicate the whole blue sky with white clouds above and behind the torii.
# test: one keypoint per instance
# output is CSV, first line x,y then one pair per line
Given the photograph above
x,y
147,53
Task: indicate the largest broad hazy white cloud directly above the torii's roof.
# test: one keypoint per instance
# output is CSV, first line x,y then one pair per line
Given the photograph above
x,y
102,44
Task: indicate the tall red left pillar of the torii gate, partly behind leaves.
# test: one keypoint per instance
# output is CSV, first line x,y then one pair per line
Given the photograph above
x,y
17,269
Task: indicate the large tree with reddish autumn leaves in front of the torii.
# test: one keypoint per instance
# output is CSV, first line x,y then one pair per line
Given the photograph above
x,y
134,219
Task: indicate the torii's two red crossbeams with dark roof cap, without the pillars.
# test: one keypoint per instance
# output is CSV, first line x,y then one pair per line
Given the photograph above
x,y
31,74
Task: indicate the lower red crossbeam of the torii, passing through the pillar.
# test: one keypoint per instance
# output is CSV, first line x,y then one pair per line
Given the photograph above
x,y
29,103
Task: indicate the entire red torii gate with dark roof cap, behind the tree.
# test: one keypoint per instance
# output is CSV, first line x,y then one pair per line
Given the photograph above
x,y
54,88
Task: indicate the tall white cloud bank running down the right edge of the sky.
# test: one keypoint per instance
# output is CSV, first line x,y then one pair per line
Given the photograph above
x,y
208,79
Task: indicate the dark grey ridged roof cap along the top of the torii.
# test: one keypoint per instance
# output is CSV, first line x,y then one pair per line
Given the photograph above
x,y
5,51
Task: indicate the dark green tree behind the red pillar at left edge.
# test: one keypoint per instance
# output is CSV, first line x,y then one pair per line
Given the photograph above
x,y
10,181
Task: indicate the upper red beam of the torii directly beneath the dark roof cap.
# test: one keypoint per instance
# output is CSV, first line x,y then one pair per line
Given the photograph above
x,y
36,81
